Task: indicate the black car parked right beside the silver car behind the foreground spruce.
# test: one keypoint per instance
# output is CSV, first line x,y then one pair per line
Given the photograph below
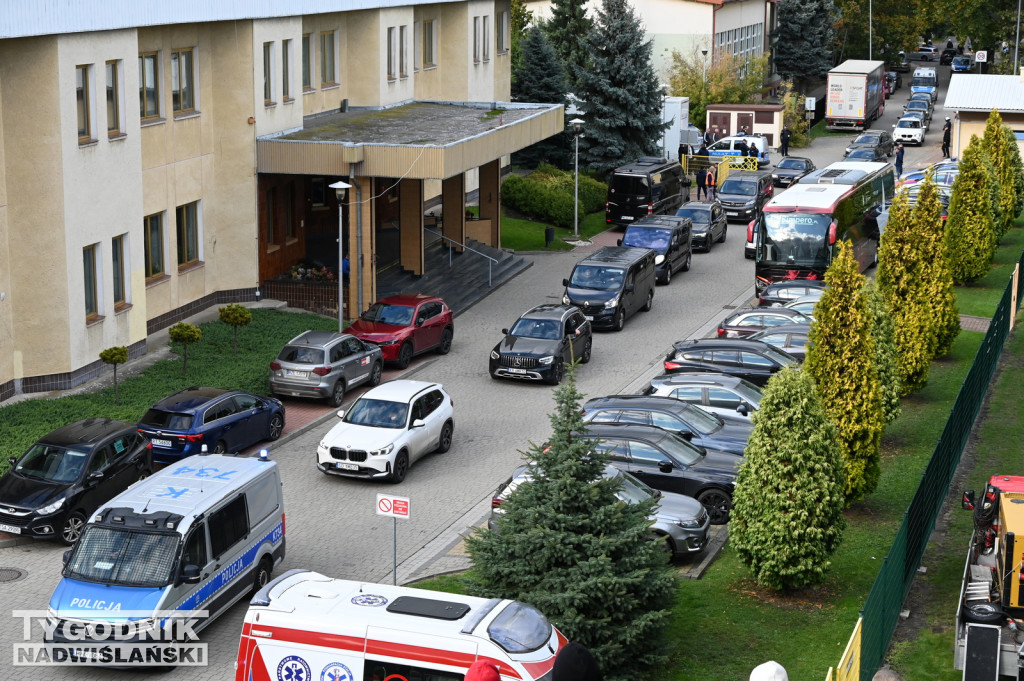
x,y
667,462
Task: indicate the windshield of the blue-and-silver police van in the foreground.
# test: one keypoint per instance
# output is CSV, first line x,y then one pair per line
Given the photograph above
x,y
115,556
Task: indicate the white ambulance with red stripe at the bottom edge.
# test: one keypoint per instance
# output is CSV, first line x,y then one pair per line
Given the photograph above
x,y
308,627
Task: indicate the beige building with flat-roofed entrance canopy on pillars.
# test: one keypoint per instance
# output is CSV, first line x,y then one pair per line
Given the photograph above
x,y
121,216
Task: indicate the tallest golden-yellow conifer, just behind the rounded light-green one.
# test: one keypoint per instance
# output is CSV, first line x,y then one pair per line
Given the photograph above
x,y
841,360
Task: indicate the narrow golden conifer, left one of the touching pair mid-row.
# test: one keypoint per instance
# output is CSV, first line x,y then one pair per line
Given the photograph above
x,y
899,271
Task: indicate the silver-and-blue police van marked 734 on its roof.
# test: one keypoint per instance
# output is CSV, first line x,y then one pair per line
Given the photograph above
x,y
199,535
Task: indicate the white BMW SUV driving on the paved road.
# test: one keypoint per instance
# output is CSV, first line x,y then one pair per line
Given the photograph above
x,y
389,430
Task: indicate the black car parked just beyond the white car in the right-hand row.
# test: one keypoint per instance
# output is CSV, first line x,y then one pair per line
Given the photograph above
x,y
753,361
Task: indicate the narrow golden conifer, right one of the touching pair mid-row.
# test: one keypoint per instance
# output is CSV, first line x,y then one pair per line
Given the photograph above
x,y
936,283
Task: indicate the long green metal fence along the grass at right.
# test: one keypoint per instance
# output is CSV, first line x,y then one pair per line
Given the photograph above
x,y
897,576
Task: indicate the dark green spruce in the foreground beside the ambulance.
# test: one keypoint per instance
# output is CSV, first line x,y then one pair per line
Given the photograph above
x,y
568,546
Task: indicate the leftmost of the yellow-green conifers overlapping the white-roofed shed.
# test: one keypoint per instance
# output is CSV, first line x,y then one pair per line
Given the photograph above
x,y
970,237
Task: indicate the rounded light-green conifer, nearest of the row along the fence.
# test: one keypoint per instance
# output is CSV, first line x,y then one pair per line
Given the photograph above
x,y
787,520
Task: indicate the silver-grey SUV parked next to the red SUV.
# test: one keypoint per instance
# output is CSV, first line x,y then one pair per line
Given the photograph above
x,y
324,364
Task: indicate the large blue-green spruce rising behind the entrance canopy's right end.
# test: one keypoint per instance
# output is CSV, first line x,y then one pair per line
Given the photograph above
x,y
621,96
